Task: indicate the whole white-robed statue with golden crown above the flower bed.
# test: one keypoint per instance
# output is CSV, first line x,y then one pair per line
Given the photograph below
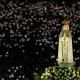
x,y
65,49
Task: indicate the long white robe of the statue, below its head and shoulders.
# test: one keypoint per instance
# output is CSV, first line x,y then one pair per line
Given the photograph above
x,y
65,52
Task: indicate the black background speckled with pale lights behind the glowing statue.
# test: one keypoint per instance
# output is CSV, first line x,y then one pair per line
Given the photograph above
x,y
29,33
